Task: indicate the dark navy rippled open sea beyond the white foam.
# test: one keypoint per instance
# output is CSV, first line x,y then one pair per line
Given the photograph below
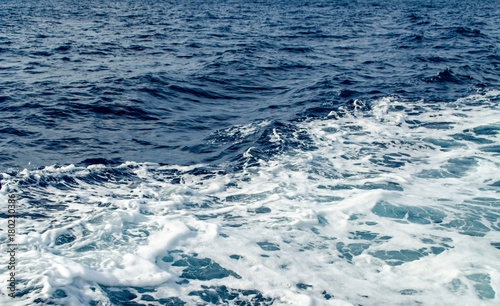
x,y
156,80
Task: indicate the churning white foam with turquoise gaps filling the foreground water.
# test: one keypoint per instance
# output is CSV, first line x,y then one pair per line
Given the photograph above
x,y
396,206
